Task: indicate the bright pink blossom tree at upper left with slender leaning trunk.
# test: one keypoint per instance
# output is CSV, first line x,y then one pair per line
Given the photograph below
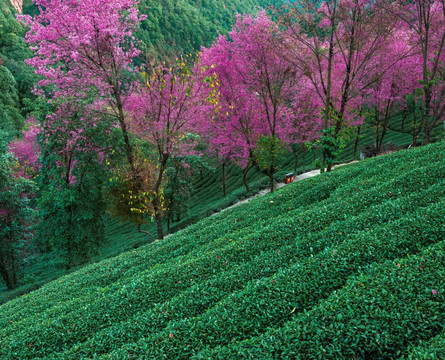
x,y
84,49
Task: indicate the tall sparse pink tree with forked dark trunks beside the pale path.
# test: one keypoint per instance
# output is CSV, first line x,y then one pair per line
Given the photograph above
x,y
334,45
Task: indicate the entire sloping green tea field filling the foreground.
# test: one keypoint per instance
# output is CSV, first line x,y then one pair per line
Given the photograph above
x,y
346,265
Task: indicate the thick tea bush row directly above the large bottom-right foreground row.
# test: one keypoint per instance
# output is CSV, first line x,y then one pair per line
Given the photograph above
x,y
271,301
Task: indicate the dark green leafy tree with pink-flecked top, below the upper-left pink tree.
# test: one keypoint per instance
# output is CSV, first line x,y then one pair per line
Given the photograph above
x,y
71,183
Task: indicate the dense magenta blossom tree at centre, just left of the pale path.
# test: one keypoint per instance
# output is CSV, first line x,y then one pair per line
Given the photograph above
x,y
256,87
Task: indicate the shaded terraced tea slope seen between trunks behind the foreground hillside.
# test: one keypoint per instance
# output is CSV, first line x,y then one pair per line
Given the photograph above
x,y
205,199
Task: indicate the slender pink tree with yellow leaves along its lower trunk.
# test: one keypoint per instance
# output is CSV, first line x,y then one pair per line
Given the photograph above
x,y
165,109
